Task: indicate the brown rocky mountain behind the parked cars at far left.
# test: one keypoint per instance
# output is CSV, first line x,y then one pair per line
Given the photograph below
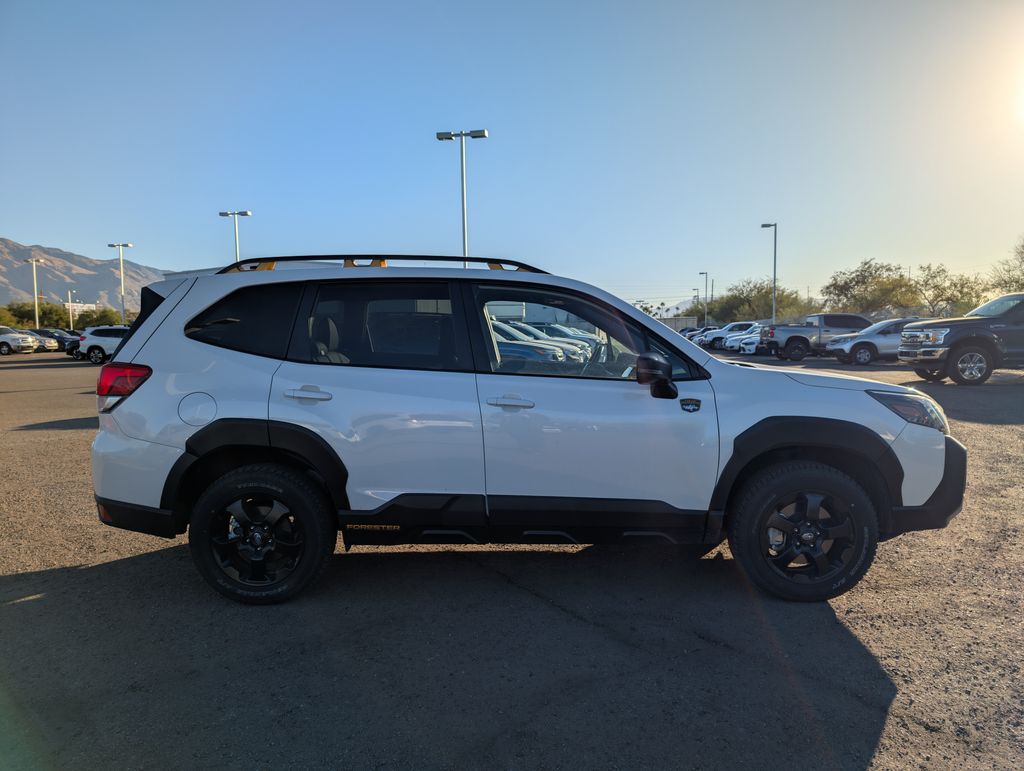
x,y
94,281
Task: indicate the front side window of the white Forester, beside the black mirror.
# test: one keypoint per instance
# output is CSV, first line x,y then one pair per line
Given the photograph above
x,y
538,332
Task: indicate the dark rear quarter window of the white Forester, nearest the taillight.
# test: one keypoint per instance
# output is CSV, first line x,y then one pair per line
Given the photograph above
x,y
254,320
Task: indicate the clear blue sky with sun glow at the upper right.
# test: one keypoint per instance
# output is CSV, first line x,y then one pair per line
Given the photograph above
x,y
632,145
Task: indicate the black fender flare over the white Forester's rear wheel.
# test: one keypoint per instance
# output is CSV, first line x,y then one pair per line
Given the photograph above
x,y
244,434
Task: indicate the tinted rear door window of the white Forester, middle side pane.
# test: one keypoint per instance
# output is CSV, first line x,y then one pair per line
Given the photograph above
x,y
391,324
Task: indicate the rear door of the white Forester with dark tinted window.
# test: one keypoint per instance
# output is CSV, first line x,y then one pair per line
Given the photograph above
x,y
383,372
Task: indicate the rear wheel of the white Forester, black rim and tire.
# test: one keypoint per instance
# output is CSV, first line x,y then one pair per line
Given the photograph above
x,y
229,527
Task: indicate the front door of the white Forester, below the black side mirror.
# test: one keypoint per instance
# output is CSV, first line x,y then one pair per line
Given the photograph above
x,y
584,450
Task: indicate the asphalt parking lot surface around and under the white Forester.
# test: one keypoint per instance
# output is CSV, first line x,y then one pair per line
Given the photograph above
x,y
115,654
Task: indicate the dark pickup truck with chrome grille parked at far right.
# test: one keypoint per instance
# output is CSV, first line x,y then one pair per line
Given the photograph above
x,y
967,350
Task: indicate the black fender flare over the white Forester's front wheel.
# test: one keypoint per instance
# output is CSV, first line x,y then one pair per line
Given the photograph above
x,y
784,433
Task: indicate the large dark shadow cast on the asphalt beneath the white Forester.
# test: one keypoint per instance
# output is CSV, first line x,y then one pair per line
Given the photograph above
x,y
627,658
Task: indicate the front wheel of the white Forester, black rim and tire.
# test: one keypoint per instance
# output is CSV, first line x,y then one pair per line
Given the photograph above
x,y
796,561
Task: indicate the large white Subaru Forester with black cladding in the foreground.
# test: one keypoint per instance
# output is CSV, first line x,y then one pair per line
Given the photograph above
x,y
267,407
